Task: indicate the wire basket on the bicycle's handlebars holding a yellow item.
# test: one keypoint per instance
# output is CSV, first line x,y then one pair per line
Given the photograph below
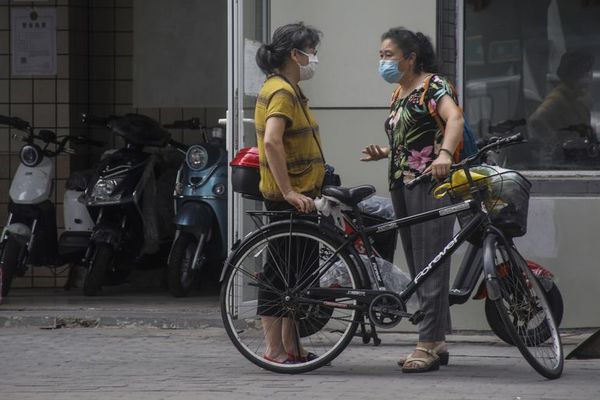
x,y
505,197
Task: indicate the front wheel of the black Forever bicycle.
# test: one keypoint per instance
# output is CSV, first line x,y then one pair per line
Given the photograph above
x,y
524,309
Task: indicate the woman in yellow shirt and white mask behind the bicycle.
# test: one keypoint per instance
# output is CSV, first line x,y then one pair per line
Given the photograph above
x,y
291,166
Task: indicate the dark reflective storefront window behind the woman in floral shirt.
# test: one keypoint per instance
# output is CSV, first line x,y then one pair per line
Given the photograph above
x,y
537,61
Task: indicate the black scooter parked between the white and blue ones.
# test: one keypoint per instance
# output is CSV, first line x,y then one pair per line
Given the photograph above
x,y
128,201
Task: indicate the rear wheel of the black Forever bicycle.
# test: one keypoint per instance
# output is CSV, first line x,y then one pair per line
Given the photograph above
x,y
264,278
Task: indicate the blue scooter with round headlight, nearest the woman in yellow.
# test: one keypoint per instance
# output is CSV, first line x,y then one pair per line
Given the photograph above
x,y
201,209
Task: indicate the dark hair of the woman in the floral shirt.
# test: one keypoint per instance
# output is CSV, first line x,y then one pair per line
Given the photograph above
x,y
418,43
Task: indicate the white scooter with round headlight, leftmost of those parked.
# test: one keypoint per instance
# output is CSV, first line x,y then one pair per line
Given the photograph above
x,y
29,236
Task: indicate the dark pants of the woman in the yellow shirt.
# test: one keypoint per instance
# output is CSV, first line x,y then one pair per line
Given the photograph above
x,y
287,261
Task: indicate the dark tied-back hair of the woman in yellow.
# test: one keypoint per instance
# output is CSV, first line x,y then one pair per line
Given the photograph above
x,y
286,38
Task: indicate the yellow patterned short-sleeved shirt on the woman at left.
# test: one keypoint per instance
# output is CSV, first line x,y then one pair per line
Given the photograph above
x,y
305,164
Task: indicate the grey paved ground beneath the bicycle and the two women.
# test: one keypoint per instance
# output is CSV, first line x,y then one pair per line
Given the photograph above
x,y
139,346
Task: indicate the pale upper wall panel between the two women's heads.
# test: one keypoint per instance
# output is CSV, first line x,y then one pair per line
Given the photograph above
x,y
349,51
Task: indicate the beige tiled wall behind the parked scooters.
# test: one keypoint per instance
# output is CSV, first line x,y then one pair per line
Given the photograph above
x,y
95,71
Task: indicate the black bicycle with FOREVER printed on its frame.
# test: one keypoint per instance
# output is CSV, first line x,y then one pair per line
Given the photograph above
x,y
326,317
